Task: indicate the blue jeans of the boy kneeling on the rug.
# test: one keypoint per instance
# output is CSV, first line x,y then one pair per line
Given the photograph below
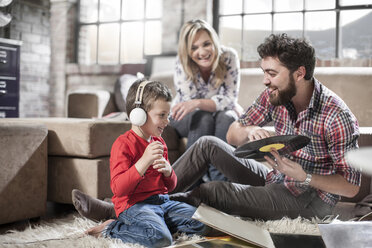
x,y
153,221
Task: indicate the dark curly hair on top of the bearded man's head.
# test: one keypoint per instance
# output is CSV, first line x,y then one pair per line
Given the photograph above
x,y
291,52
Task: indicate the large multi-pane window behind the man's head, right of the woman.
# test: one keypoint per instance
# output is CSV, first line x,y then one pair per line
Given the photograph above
x,y
336,28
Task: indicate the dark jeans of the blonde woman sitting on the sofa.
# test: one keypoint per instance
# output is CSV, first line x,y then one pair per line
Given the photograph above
x,y
201,123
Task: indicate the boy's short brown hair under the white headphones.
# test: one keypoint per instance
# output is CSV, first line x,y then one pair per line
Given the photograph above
x,y
153,91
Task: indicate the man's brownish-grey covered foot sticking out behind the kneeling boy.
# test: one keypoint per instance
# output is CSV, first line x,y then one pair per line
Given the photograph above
x,y
92,208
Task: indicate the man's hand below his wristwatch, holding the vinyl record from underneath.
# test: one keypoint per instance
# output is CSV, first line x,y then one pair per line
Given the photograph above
x,y
286,166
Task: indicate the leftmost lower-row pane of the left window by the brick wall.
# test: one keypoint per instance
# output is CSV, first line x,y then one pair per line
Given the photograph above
x,y
88,44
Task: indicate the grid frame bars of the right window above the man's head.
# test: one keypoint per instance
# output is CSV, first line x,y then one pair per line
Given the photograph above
x,y
337,9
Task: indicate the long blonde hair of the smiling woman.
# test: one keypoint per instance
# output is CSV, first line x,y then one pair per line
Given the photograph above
x,y
187,35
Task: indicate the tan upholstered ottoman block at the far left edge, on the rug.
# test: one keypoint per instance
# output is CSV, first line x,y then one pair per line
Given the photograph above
x,y
23,177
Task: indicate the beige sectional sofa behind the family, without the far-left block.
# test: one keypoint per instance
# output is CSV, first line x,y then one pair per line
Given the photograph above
x,y
78,146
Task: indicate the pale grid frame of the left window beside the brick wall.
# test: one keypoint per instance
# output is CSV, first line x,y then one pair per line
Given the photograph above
x,y
97,23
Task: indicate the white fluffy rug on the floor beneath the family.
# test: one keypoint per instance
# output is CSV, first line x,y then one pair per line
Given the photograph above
x,y
69,232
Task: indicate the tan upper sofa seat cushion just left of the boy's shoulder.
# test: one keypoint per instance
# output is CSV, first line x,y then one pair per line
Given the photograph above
x,y
75,137
